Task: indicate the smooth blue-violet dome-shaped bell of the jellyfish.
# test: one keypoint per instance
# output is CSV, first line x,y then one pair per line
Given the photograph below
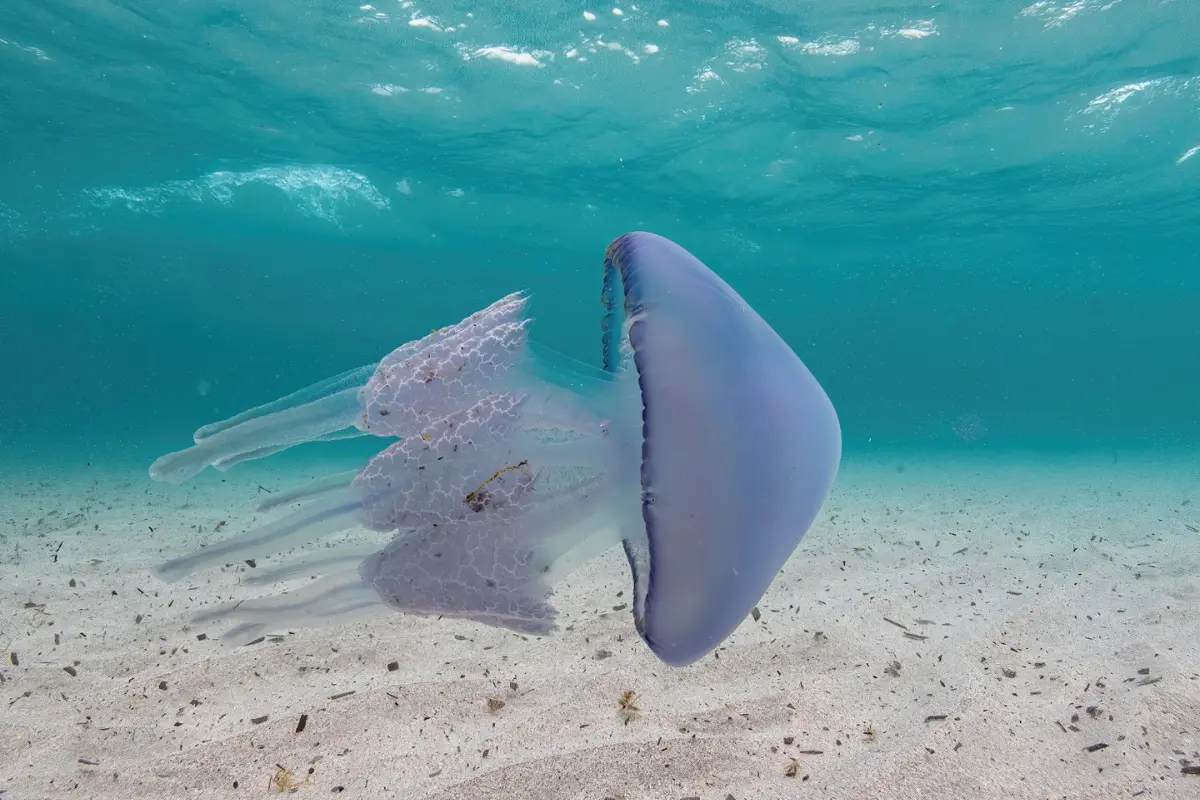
x,y
740,447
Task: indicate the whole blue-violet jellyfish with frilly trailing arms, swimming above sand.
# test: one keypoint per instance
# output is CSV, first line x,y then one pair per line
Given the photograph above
x,y
703,447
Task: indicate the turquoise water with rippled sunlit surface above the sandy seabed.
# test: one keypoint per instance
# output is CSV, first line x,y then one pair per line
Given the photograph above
x,y
982,209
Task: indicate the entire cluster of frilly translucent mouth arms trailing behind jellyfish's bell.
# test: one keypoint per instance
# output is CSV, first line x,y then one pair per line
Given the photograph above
x,y
506,477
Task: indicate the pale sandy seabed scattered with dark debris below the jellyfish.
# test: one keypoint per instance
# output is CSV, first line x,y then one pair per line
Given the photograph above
x,y
1043,590
